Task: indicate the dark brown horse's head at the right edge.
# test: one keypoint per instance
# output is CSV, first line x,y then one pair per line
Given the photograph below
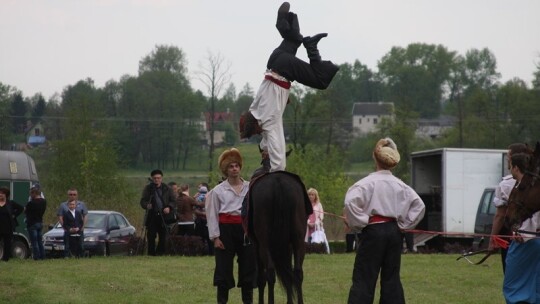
x,y
524,199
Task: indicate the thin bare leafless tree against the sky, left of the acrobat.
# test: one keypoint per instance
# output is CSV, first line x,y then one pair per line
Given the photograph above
x,y
214,75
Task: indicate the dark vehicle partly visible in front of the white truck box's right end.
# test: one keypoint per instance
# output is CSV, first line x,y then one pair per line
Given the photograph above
x,y
484,218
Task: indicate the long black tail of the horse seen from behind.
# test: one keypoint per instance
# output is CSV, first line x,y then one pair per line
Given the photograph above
x,y
283,235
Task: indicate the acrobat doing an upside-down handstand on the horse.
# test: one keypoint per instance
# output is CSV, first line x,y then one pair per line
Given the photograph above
x,y
283,67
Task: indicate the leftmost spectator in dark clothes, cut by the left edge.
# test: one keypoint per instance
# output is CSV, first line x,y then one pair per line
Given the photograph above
x,y
9,210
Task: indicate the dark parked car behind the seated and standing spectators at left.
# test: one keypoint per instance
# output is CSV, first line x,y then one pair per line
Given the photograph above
x,y
105,233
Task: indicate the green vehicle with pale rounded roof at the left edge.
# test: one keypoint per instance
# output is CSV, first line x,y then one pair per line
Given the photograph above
x,y
18,174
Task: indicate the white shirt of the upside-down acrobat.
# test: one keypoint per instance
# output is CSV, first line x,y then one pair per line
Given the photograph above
x,y
268,107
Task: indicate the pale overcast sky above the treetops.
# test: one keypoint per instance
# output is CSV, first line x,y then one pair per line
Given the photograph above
x,y
46,45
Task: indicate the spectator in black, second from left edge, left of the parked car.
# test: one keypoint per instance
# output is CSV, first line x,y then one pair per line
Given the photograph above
x,y
34,211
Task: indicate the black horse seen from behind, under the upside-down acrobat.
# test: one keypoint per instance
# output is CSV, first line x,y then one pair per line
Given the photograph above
x,y
278,212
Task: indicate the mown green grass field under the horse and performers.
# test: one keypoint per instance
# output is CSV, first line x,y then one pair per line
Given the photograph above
x,y
435,278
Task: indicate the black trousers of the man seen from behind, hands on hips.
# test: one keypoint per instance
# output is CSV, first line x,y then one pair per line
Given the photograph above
x,y
379,252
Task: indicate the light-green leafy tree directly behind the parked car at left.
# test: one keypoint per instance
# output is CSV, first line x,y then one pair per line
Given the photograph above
x,y
85,157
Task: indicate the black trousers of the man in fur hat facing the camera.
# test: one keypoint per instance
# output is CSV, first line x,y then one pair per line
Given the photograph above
x,y
232,237
